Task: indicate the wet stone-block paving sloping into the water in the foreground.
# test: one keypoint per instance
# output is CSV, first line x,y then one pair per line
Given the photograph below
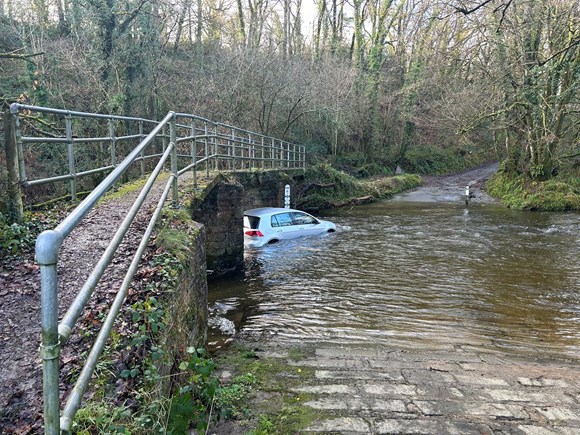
x,y
419,391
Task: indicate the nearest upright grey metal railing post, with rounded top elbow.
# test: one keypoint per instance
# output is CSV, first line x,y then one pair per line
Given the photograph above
x,y
47,247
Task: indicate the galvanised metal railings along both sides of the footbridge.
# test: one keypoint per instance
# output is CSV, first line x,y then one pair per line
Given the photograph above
x,y
186,141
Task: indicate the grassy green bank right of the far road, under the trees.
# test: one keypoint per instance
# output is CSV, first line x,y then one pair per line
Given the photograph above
x,y
519,192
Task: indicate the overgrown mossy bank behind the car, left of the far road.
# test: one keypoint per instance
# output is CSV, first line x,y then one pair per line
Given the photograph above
x,y
326,187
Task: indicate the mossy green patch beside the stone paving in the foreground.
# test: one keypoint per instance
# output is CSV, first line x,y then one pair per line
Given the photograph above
x,y
274,408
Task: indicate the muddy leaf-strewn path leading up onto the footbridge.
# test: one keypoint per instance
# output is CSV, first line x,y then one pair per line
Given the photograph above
x,y
20,365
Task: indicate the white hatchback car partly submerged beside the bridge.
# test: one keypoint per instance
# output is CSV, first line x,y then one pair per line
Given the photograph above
x,y
271,224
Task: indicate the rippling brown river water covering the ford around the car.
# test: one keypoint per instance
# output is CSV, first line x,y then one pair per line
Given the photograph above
x,y
399,272
